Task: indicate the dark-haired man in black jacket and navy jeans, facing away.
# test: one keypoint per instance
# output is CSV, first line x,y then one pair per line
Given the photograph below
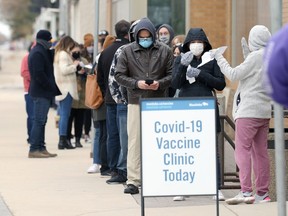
x,y
103,69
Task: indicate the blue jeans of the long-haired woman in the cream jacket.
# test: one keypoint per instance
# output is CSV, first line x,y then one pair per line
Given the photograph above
x,y
64,112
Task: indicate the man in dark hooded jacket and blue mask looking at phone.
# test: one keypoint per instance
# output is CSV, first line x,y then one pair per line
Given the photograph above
x,y
144,76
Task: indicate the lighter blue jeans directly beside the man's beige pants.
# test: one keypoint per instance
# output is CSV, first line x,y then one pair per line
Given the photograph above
x,y
122,128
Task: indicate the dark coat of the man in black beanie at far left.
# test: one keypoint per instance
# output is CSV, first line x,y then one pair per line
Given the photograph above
x,y
40,63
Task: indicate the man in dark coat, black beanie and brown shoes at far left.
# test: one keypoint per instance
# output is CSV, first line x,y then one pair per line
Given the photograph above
x,y
42,89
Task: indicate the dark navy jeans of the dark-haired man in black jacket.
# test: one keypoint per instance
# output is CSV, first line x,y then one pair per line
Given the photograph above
x,y
113,142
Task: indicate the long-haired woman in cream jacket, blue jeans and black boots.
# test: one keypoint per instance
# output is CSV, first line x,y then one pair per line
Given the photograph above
x,y
65,68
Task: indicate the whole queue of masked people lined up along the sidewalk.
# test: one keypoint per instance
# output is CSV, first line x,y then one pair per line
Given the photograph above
x,y
142,62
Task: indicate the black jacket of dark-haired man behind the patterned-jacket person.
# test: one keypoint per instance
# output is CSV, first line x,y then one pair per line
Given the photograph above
x,y
103,68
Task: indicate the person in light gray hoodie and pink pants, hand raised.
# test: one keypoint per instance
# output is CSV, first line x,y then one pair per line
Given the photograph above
x,y
251,112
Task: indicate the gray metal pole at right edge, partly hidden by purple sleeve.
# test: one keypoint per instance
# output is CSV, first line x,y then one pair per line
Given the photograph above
x,y
276,24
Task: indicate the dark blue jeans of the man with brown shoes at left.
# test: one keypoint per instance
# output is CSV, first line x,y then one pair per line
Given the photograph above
x,y
41,109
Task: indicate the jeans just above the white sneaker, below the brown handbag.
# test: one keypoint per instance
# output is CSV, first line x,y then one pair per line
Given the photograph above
x,y
100,144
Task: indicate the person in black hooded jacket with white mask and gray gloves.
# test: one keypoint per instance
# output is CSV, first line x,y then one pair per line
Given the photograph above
x,y
198,82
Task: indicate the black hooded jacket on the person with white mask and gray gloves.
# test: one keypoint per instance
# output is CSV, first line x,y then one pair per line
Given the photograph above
x,y
209,79
